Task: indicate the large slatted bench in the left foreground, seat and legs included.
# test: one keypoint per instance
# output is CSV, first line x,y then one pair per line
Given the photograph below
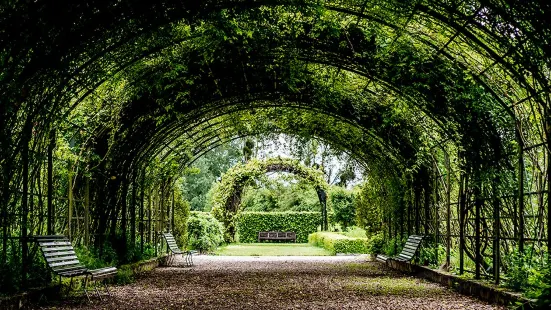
x,y
62,260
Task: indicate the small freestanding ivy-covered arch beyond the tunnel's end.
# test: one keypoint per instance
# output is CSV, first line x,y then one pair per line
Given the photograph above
x,y
226,196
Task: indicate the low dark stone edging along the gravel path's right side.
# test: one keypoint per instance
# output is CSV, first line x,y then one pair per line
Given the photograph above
x,y
464,286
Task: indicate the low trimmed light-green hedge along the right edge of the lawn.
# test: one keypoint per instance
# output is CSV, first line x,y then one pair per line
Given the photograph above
x,y
337,243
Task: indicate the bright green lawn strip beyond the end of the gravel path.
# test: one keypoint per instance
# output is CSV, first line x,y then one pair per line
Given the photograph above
x,y
271,249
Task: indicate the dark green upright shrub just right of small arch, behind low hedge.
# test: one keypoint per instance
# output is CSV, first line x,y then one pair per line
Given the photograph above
x,y
342,203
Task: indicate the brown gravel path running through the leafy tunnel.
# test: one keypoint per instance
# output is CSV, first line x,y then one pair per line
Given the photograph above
x,y
330,282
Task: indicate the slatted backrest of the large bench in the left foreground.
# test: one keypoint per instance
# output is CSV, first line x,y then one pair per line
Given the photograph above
x,y
59,254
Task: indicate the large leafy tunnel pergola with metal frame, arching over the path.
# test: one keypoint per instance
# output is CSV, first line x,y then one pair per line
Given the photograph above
x,y
104,103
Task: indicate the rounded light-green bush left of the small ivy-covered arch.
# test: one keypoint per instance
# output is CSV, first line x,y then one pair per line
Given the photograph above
x,y
204,231
